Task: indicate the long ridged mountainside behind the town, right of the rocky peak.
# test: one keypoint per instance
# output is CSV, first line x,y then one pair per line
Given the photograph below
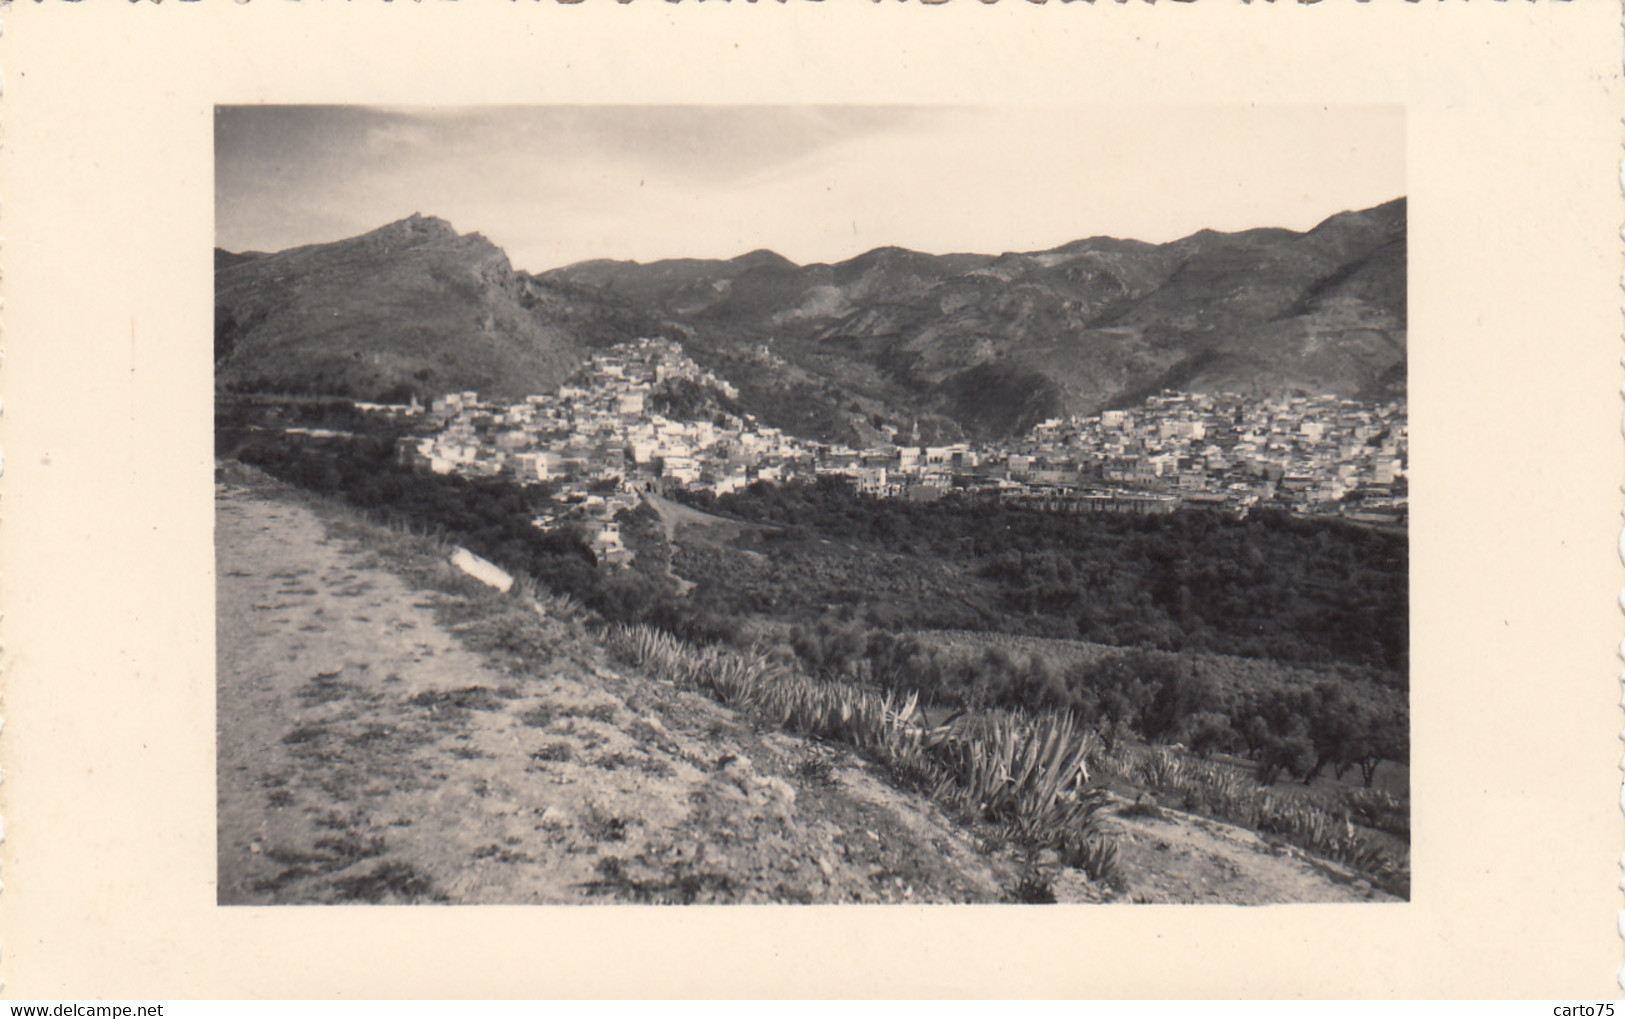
x,y
994,344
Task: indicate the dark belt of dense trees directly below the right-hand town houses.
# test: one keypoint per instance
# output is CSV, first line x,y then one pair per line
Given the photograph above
x,y
1272,586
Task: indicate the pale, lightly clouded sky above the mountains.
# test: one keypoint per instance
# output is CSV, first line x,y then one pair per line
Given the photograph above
x,y
561,184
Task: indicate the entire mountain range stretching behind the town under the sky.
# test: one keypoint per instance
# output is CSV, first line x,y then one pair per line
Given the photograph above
x,y
891,342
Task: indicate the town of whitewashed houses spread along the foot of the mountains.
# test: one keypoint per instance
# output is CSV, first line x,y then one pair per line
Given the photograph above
x,y
643,417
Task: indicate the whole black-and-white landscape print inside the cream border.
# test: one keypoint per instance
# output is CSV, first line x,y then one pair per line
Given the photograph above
x,y
791,505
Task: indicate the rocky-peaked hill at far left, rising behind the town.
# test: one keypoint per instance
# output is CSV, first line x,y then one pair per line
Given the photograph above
x,y
412,308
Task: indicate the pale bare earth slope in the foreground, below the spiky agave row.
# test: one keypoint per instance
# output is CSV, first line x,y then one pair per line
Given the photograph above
x,y
392,732
